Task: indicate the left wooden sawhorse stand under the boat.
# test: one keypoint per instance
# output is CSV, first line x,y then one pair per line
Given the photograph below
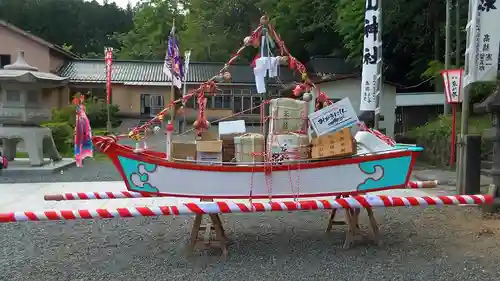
x,y
210,235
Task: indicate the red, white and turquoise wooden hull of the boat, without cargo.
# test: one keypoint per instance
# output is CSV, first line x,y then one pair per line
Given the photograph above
x,y
152,173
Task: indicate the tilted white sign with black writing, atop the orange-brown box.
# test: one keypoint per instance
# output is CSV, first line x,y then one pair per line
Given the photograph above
x,y
333,117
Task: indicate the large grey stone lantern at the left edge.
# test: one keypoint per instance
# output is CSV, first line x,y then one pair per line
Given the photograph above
x,y
22,107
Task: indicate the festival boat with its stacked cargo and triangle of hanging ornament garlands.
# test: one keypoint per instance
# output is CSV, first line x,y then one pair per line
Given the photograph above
x,y
331,161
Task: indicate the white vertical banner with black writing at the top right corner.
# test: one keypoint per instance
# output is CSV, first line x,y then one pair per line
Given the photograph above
x,y
483,41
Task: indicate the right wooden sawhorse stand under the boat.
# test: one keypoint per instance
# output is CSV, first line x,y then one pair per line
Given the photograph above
x,y
352,222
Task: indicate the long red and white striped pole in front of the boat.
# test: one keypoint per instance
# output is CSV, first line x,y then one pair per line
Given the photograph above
x,y
365,201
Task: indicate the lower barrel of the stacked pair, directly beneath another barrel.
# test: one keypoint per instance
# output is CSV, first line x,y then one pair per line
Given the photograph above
x,y
288,147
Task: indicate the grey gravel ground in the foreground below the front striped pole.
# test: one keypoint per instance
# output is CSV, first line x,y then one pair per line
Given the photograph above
x,y
451,243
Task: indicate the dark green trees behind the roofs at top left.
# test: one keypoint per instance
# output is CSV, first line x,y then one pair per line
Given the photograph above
x,y
86,26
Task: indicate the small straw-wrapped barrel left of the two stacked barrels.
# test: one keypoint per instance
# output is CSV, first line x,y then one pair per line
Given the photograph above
x,y
249,148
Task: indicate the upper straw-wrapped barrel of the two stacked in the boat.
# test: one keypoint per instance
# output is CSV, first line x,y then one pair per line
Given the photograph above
x,y
288,115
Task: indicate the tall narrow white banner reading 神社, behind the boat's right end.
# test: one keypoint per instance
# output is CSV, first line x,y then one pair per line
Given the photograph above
x,y
372,57
